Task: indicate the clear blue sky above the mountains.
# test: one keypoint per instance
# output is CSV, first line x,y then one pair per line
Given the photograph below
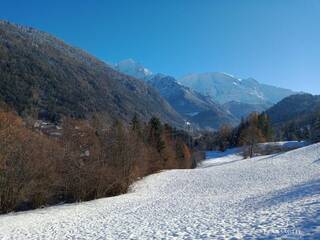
x,y
275,41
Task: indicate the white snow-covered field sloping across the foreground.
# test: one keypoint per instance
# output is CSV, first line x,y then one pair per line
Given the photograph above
x,y
265,197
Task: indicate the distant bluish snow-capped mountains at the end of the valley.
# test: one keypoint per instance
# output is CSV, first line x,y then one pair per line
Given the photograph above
x,y
211,99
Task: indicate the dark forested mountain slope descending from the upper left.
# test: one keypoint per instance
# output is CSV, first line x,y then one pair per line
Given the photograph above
x,y
41,74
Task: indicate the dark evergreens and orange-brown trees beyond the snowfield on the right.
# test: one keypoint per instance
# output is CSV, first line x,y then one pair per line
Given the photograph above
x,y
257,128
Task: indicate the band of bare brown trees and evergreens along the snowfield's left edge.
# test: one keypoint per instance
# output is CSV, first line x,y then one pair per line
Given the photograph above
x,y
89,161
